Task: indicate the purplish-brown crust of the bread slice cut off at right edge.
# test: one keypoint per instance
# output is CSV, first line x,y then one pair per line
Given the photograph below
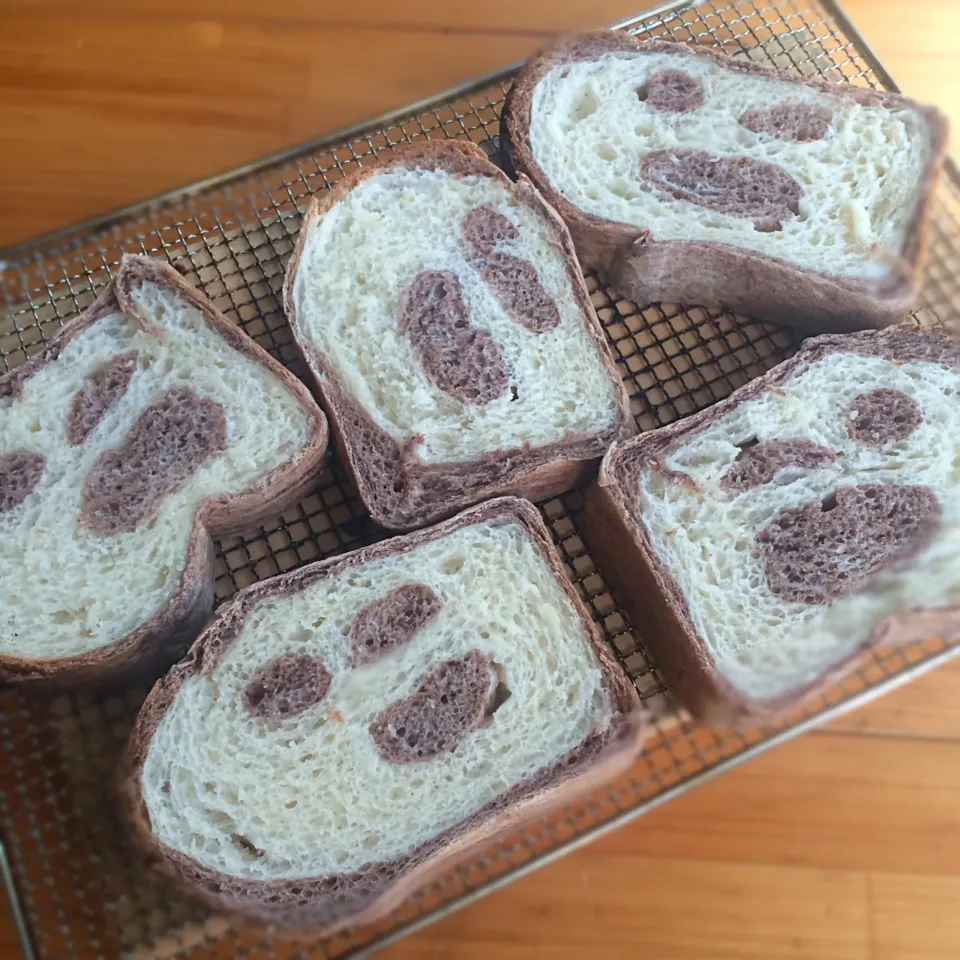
x,y
618,539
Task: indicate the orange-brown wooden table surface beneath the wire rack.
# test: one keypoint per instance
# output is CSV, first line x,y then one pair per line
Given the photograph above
x,y
843,845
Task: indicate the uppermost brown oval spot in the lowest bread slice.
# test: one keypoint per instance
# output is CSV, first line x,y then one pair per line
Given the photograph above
x,y
391,622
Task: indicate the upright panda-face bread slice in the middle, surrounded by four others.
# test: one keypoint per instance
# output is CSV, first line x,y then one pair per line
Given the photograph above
x,y
443,313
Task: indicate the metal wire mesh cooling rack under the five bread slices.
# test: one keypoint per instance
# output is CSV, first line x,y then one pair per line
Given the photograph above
x,y
77,890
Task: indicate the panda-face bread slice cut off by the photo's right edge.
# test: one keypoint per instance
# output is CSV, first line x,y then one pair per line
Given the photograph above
x,y
762,545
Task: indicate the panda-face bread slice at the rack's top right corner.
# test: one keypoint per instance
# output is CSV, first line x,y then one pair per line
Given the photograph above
x,y
688,176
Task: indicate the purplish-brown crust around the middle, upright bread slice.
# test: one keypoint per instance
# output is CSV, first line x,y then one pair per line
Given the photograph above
x,y
398,488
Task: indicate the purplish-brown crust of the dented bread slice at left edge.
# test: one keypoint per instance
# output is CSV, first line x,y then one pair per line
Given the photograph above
x,y
153,645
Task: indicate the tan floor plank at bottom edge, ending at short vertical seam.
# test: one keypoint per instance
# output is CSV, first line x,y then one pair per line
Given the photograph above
x,y
606,904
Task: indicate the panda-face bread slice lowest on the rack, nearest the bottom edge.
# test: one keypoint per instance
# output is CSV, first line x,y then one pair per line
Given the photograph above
x,y
339,734
